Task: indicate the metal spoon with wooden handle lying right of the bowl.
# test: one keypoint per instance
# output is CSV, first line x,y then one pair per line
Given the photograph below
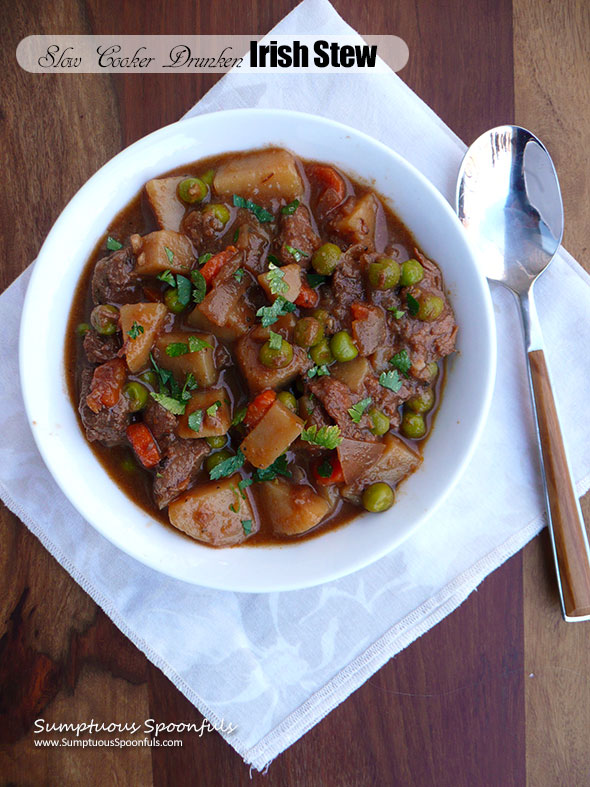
x,y
509,201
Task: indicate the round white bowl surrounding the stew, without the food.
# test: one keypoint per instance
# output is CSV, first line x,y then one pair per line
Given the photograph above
x,y
461,415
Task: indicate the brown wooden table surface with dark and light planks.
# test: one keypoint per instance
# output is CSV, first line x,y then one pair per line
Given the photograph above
x,y
499,692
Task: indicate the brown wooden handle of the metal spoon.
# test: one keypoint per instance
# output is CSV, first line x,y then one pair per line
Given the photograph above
x,y
569,533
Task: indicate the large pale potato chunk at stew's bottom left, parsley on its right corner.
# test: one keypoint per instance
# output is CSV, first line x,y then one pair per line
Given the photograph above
x,y
216,513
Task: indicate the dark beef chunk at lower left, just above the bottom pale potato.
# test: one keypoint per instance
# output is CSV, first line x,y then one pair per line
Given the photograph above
x,y
179,469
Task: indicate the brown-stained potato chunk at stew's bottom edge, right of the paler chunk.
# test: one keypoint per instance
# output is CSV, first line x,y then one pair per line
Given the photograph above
x,y
291,509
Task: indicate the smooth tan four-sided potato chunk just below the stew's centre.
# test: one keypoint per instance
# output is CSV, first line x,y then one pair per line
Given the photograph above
x,y
272,435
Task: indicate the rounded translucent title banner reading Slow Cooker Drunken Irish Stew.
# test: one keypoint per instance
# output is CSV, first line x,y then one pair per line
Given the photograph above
x,y
112,54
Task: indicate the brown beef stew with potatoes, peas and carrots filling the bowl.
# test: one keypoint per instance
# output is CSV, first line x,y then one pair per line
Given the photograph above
x,y
255,349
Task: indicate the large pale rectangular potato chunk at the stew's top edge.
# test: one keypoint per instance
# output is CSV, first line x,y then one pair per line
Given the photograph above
x,y
261,176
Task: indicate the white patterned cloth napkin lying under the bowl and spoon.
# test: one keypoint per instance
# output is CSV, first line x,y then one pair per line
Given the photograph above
x,y
274,664
